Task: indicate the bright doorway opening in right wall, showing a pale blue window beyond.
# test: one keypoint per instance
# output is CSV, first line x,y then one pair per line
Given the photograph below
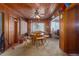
x,y
55,27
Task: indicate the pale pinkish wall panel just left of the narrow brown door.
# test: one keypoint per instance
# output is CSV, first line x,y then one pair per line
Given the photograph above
x,y
11,30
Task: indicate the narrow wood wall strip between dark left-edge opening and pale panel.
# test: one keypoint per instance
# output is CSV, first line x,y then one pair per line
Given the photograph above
x,y
6,30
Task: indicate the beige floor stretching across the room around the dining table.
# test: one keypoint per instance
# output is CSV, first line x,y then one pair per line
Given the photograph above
x,y
51,48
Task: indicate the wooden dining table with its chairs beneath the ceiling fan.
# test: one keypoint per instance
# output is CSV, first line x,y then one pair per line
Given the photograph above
x,y
40,38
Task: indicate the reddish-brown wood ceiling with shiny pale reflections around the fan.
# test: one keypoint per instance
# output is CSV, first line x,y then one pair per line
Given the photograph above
x,y
27,10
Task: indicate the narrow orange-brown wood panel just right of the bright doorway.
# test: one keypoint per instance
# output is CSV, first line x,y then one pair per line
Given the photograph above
x,y
63,31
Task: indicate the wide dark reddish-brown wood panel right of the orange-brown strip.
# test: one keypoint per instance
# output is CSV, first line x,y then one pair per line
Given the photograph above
x,y
71,30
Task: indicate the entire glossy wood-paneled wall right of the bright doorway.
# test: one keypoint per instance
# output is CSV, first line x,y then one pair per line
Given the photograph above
x,y
69,30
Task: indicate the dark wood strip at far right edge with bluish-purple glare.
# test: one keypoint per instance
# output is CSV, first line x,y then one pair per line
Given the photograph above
x,y
77,27
